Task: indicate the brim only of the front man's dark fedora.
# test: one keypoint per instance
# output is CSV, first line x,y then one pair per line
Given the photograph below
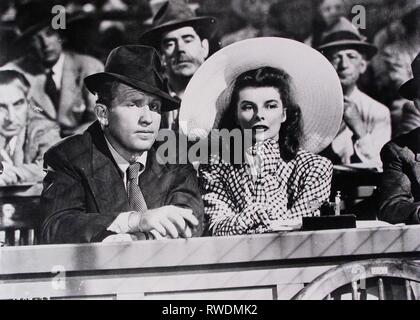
x,y
95,82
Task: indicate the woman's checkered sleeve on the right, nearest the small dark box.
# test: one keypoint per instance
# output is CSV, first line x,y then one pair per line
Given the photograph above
x,y
315,188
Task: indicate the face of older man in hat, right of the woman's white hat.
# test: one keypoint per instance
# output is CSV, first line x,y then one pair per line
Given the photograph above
x,y
349,64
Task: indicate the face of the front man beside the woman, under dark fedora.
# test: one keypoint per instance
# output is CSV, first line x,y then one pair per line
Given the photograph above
x,y
133,120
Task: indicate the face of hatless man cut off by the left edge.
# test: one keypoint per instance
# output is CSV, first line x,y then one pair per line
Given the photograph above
x,y
13,109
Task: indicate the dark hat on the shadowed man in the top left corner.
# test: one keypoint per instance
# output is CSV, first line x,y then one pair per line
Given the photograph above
x,y
34,16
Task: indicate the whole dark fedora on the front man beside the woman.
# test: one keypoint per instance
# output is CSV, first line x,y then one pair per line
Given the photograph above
x,y
136,66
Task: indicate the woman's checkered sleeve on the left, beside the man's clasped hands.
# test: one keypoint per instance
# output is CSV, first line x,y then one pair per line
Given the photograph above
x,y
224,216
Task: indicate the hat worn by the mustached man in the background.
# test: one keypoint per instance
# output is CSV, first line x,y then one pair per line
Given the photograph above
x,y
176,14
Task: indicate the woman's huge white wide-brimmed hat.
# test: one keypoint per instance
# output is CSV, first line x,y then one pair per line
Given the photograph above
x,y
316,85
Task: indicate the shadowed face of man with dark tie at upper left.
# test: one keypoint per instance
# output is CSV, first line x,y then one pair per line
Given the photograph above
x,y
47,43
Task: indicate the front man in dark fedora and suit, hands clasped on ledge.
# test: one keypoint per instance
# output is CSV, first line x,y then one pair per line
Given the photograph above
x,y
109,183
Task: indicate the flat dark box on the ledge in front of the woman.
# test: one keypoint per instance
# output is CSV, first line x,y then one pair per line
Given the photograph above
x,y
345,221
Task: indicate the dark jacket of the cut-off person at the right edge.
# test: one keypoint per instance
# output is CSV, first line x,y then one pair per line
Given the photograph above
x,y
399,193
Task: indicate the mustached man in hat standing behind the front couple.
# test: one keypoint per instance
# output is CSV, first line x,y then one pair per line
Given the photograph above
x,y
183,40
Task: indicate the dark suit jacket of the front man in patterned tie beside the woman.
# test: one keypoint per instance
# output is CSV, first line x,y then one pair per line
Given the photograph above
x,y
84,189
